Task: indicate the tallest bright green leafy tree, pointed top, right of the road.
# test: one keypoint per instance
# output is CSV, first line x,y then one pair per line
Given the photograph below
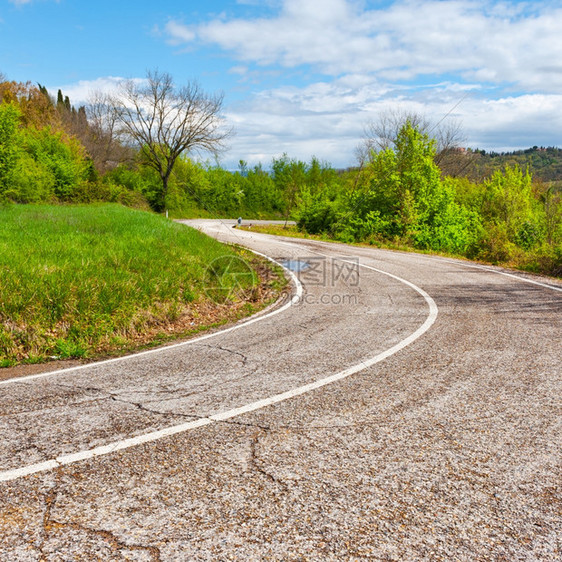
x,y
402,196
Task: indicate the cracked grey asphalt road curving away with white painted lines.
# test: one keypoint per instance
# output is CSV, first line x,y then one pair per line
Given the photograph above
x,y
399,407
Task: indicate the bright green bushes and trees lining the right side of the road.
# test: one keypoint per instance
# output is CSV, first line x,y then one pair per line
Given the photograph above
x,y
400,197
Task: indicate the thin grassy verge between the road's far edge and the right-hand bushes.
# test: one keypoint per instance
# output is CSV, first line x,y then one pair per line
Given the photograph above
x,y
527,261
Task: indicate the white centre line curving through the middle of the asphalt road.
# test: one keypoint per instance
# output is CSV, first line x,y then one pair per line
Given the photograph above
x,y
63,460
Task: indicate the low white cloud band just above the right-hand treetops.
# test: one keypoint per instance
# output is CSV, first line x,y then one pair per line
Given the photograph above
x,y
328,119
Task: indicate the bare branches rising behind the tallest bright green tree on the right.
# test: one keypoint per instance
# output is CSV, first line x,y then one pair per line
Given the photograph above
x,y
381,134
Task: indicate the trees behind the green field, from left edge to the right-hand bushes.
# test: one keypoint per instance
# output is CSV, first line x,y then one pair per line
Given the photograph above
x,y
136,147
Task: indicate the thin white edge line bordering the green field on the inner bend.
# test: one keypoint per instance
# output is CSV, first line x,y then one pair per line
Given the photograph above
x,y
258,317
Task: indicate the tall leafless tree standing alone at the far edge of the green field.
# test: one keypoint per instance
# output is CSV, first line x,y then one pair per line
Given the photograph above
x,y
165,121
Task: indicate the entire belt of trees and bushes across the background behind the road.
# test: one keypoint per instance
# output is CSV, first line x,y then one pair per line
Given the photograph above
x,y
414,184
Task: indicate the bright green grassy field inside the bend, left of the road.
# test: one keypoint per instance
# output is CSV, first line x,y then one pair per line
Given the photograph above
x,y
86,281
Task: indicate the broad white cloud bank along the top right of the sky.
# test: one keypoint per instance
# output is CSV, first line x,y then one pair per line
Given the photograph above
x,y
496,42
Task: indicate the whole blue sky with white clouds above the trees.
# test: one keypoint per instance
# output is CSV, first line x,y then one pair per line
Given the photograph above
x,y
306,76
